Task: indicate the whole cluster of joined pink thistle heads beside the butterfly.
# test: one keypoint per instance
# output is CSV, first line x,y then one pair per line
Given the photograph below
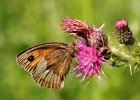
x,y
90,43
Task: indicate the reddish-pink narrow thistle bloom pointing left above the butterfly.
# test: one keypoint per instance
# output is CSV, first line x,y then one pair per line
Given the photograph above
x,y
74,26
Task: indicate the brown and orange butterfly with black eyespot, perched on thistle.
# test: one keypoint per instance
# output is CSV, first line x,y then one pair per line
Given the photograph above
x,y
48,63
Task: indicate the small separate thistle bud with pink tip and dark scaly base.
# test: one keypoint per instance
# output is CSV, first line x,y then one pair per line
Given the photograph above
x,y
124,34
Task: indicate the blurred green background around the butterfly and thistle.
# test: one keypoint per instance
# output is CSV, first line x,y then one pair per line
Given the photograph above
x,y
24,23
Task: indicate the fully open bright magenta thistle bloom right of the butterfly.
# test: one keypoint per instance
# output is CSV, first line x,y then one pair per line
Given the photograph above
x,y
89,61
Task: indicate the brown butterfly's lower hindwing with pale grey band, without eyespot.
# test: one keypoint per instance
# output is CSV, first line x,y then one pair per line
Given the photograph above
x,y
53,75
